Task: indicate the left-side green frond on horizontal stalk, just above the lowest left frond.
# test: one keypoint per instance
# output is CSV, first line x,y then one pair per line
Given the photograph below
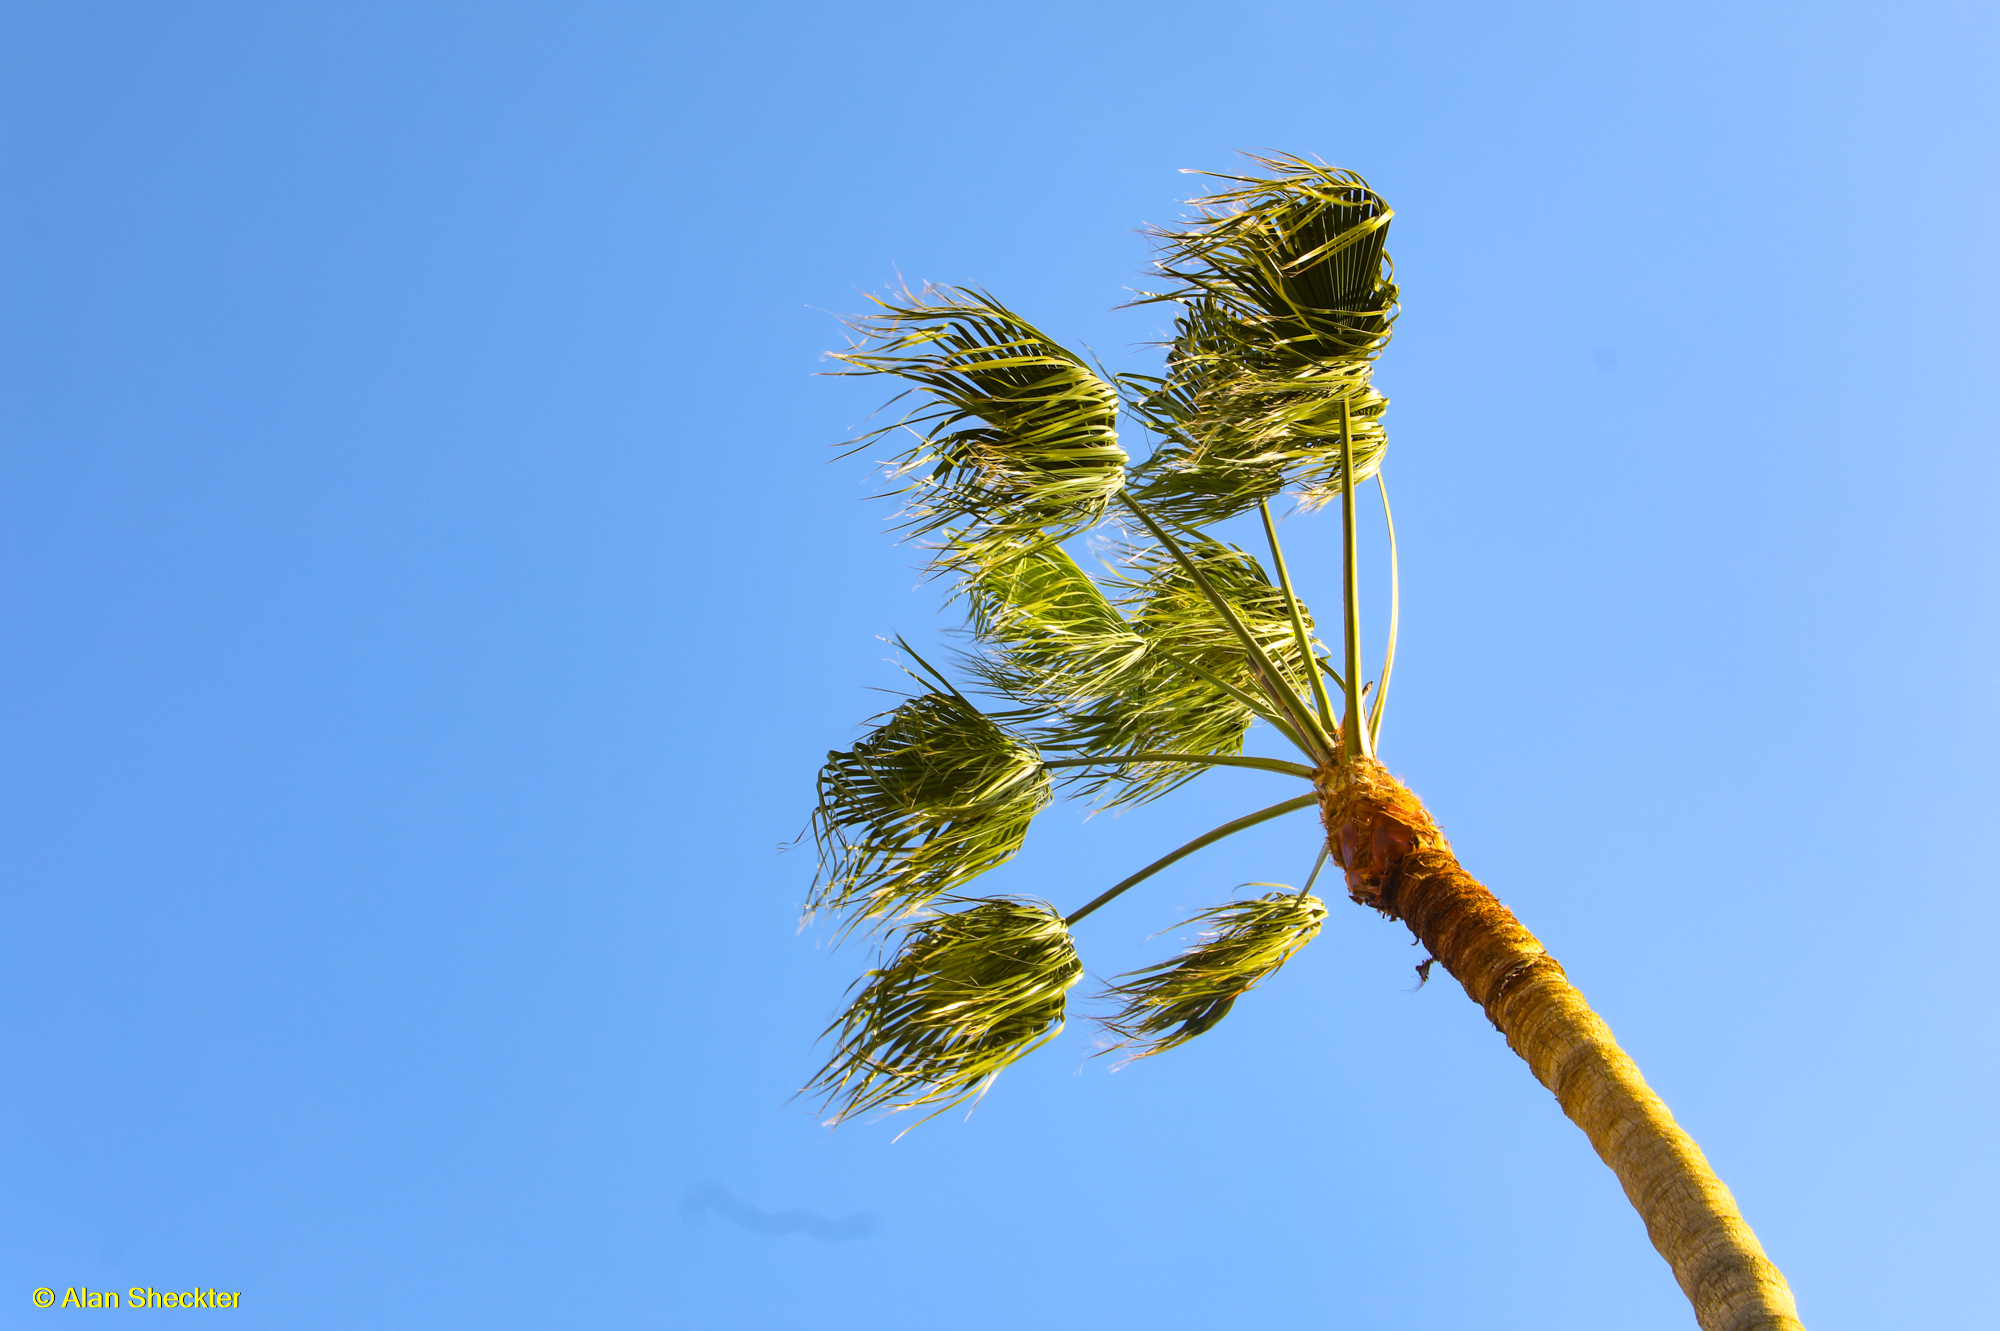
x,y
929,800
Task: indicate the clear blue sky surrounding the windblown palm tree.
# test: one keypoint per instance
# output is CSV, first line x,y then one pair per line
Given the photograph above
x,y
429,601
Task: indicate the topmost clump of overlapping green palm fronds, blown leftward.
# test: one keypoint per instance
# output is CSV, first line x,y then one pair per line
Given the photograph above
x,y
1287,301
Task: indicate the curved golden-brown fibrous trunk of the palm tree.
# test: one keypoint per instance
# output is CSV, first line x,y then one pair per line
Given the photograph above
x,y
1401,864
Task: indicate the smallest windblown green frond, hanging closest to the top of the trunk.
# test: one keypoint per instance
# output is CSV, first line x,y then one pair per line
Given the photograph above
x,y
1173,1002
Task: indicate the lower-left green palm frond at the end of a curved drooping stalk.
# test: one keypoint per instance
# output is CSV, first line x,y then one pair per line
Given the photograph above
x,y
965,996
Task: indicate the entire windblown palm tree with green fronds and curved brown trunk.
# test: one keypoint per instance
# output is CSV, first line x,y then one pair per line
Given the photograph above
x,y
1129,684
